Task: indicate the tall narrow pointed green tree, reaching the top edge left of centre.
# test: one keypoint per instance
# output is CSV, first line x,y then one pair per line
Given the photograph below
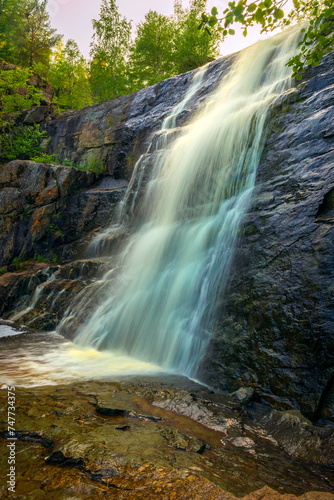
x,y
109,52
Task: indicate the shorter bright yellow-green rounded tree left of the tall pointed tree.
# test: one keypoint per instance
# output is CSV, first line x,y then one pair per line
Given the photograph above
x,y
69,77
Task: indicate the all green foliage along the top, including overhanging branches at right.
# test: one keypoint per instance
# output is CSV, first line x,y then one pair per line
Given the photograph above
x,y
162,46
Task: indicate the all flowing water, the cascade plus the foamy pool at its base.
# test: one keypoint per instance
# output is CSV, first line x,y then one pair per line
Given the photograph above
x,y
154,309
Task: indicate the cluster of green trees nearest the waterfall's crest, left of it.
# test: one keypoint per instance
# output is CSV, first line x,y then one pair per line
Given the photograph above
x,y
166,46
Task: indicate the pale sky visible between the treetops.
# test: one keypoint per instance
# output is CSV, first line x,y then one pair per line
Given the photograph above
x,y
73,19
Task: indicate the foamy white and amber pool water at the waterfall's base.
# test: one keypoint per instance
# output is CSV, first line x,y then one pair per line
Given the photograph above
x,y
35,359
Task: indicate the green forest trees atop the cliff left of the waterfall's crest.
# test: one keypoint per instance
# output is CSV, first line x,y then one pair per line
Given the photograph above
x,y
119,64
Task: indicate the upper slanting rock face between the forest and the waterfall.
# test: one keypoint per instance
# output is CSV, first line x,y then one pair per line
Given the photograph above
x,y
115,133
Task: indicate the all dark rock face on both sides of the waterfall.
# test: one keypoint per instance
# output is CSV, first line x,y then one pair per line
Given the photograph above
x,y
275,328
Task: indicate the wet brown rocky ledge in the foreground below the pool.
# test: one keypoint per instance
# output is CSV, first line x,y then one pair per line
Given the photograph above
x,y
157,439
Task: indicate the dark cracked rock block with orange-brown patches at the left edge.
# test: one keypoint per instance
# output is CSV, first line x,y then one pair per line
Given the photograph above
x,y
46,209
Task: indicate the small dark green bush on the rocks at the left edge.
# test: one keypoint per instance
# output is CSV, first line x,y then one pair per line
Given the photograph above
x,y
21,142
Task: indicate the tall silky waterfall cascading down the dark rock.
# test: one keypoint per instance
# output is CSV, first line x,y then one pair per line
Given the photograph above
x,y
160,305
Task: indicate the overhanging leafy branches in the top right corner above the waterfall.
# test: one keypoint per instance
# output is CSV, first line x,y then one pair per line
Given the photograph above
x,y
317,38
